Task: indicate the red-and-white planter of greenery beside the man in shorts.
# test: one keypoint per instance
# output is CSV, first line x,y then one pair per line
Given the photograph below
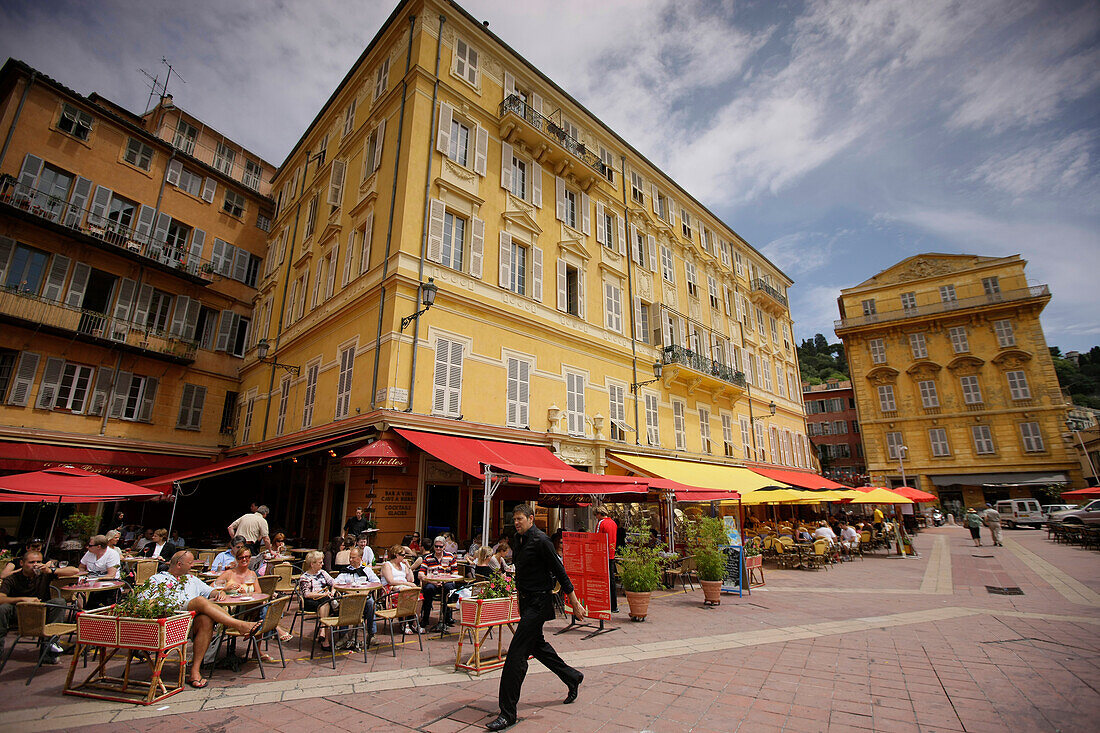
x,y
146,621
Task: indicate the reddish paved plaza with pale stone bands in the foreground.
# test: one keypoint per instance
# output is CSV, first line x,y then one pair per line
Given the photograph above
x,y
882,644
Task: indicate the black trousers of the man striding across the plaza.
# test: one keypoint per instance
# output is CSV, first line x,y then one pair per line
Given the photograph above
x,y
535,610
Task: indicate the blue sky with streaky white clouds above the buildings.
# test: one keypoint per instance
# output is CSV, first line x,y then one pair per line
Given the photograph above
x,y
837,137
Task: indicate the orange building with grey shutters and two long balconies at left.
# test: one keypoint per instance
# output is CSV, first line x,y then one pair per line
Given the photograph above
x,y
130,248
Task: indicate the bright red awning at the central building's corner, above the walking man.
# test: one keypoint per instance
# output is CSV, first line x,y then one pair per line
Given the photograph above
x,y
555,476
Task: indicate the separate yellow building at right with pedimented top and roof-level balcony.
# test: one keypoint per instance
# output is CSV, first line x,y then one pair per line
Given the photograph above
x,y
953,376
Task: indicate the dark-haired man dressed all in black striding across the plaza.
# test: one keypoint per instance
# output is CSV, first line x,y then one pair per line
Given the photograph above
x,y
537,568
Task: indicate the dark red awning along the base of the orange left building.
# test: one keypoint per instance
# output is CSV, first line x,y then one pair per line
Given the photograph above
x,y
35,457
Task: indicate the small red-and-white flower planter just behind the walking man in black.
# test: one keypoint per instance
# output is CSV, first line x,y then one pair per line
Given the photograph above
x,y
494,607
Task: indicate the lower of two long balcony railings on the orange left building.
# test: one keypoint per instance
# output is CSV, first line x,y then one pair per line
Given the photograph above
x,y
58,316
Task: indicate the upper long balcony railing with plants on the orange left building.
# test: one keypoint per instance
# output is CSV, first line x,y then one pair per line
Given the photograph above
x,y
113,228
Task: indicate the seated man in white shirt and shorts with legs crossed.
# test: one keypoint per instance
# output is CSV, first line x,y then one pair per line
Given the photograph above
x,y
193,595
